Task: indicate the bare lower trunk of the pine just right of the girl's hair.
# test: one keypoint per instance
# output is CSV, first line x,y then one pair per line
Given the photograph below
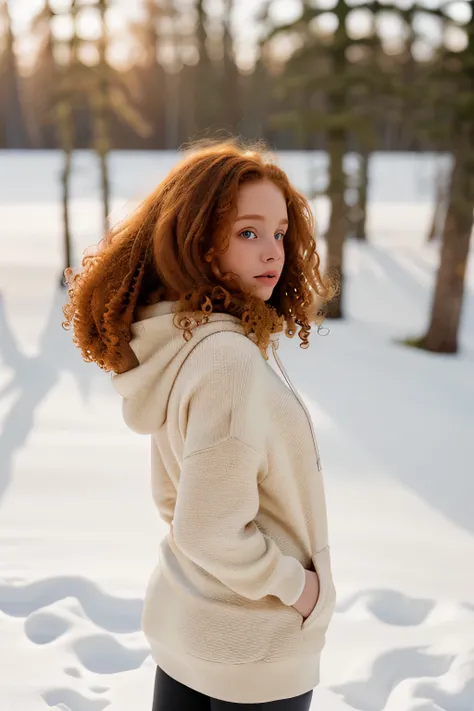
x,y
336,233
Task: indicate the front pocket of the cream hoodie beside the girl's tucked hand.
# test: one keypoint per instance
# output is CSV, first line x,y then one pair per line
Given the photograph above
x,y
314,627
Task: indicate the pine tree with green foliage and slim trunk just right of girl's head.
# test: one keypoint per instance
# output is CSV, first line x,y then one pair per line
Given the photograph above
x,y
329,84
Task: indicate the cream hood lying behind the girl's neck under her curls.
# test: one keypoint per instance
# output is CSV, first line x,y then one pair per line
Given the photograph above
x,y
161,350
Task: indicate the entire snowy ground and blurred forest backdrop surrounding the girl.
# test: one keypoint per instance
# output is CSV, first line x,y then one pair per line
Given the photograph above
x,y
369,107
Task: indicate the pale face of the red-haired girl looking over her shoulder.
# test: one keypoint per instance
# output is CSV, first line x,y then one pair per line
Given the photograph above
x,y
256,252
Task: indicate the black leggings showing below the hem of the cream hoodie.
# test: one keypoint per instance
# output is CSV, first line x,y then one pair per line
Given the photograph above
x,y
170,695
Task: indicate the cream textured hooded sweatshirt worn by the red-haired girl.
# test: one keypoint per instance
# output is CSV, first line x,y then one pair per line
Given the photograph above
x,y
236,475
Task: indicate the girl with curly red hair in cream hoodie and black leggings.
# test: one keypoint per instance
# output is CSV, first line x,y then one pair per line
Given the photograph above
x,y
182,302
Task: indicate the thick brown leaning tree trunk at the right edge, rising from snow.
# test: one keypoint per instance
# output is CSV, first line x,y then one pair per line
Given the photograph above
x,y
442,335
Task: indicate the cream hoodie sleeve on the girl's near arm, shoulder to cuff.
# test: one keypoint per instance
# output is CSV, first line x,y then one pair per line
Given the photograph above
x,y
225,459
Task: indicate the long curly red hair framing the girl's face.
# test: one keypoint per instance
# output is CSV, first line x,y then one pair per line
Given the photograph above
x,y
168,249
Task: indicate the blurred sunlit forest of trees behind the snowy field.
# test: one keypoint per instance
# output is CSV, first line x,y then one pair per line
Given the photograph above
x,y
343,80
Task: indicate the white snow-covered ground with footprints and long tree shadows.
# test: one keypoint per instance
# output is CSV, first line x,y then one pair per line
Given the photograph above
x,y
78,531
